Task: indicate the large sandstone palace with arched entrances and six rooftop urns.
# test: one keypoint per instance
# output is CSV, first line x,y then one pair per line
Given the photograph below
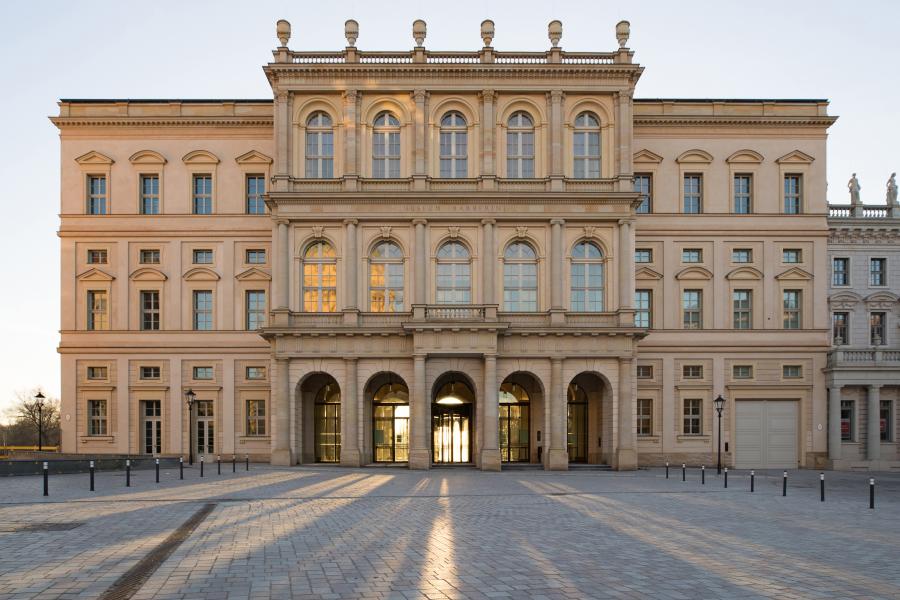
x,y
476,257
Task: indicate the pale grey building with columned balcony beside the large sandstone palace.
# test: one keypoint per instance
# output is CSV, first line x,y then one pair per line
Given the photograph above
x,y
863,373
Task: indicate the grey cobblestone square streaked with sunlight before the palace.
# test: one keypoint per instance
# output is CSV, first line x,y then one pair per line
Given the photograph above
x,y
454,533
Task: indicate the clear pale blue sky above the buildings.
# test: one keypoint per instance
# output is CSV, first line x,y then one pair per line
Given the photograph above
x,y
847,52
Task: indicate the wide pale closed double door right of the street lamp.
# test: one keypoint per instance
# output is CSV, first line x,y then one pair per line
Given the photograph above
x,y
766,434
